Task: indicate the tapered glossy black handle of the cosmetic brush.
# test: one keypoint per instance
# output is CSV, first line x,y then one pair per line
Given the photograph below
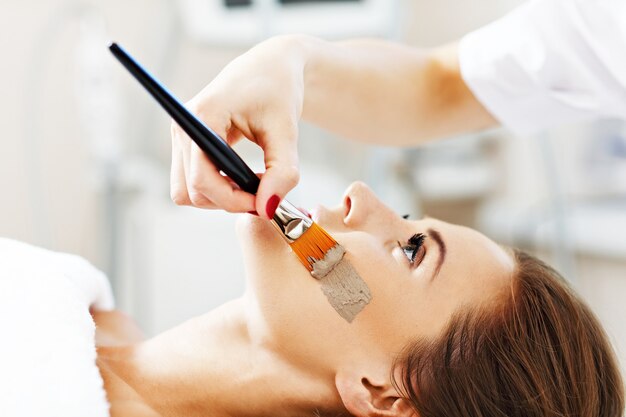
x,y
218,151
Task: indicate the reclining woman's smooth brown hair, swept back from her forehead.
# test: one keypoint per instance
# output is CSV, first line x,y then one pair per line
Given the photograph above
x,y
541,353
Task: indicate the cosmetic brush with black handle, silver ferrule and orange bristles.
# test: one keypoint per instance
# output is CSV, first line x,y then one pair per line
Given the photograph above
x,y
313,246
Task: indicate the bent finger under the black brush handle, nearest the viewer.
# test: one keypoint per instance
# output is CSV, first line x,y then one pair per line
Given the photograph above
x,y
206,183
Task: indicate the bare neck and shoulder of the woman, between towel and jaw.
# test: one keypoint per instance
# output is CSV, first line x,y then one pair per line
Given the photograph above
x,y
212,365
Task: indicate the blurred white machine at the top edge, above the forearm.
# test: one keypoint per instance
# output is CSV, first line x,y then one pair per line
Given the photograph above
x,y
245,22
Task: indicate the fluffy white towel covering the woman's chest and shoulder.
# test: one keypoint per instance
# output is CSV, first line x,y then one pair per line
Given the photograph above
x,y
47,336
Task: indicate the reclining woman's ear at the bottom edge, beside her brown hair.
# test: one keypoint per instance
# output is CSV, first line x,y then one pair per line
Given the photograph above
x,y
371,396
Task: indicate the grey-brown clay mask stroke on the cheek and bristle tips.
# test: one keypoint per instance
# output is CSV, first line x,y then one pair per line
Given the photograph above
x,y
344,288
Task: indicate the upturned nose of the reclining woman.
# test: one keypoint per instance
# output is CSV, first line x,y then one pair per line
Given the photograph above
x,y
362,208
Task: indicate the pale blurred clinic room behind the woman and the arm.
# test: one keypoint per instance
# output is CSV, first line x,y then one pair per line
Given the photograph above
x,y
84,162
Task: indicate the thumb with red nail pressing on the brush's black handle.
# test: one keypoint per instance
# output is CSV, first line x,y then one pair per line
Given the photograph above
x,y
281,171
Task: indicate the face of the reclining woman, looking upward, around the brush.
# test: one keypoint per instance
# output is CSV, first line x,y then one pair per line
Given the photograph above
x,y
455,267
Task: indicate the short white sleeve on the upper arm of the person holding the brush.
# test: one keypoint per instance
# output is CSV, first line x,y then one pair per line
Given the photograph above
x,y
550,62
